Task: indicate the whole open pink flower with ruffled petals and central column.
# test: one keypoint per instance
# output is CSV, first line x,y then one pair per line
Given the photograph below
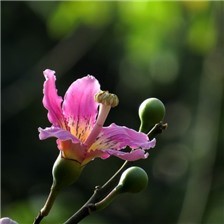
x,y
78,124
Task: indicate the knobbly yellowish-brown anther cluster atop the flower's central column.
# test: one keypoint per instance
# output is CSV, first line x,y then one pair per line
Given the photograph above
x,y
106,98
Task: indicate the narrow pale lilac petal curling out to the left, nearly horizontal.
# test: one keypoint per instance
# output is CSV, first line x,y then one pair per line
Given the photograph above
x,y
58,133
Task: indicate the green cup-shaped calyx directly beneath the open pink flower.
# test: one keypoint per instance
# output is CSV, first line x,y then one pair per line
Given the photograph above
x,y
65,172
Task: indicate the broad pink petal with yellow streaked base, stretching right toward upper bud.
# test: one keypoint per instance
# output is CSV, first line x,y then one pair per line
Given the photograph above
x,y
118,137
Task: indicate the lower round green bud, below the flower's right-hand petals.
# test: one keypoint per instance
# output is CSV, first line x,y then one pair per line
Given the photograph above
x,y
133,180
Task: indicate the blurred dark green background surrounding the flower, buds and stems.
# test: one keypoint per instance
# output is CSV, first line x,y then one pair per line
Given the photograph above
x,y
169,50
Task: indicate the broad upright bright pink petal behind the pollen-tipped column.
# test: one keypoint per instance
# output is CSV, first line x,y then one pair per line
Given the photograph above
x,y
79,106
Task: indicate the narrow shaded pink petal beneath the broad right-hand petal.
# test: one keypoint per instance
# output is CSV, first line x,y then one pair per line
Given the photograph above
x,y
130,156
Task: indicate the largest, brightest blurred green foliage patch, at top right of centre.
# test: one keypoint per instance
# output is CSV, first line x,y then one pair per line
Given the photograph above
x,y
152,29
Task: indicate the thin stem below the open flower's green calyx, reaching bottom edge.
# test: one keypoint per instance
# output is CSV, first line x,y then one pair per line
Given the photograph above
x,y
48,205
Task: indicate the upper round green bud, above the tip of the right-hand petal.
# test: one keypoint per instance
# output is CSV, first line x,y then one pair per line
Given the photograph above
x,y
151,112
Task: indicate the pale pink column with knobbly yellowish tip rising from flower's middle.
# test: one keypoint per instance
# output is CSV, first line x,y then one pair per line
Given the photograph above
x,y
106,101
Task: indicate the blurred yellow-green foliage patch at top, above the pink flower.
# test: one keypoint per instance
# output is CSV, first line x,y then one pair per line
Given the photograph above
x,y
71,14
